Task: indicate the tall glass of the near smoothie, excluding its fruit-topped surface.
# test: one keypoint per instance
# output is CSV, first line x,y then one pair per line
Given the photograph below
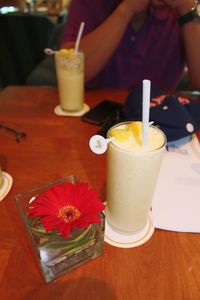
x,y
131,180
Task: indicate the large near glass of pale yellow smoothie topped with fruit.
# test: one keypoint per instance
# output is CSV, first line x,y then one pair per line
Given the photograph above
x,y
132,172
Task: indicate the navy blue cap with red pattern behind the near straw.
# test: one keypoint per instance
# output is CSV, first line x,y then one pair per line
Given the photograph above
x,y
178,117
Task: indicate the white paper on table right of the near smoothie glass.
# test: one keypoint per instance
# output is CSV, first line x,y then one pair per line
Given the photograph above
x,y
176,203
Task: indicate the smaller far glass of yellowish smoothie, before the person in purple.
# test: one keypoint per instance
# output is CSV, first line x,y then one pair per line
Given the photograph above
x,y
70,77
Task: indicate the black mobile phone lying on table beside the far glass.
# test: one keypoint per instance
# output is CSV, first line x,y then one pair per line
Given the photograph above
x,y
99,114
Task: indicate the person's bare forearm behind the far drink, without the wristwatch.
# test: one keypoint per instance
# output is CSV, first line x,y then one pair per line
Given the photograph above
x,y
100,44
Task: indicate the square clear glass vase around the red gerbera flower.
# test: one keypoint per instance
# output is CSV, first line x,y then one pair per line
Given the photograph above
x,y
55,254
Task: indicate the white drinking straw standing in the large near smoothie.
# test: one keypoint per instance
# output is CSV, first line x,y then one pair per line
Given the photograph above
x,y
146,91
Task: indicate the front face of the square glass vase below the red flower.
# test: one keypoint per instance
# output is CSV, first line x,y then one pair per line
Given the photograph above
x,y
58,256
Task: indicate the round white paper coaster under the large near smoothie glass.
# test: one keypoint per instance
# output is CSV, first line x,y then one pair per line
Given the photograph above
x,y
128,240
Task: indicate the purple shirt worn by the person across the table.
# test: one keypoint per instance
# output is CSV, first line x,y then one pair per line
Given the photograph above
x,y
155,52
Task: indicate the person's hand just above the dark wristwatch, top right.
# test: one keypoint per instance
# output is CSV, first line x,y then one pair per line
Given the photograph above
x,y
182,6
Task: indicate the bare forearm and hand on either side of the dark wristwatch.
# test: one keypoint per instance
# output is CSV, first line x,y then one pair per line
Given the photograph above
x,y
191,37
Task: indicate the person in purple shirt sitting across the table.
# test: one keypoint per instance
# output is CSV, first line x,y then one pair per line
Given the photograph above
x,y
127,41
